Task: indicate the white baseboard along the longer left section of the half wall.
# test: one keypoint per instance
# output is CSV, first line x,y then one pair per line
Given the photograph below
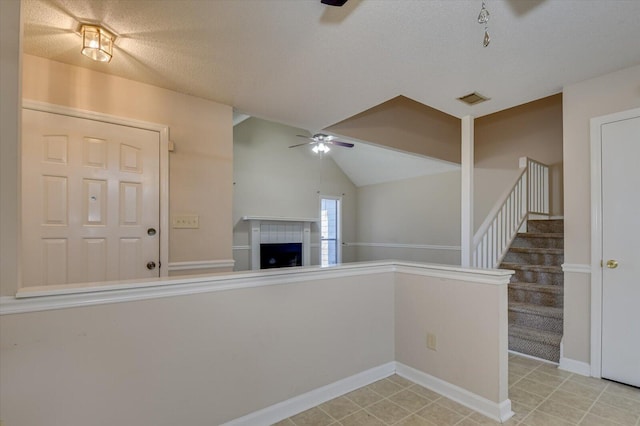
x,y
300,403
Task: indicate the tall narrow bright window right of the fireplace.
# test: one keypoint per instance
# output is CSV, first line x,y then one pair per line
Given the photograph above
x,y
330,231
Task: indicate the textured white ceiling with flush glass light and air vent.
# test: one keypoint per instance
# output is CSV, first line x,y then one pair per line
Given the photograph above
x,y
308,65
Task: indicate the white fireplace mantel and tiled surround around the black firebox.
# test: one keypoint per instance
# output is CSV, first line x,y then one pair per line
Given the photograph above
x,y
271,229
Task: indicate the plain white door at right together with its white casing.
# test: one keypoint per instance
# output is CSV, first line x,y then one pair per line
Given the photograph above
x,y
615,148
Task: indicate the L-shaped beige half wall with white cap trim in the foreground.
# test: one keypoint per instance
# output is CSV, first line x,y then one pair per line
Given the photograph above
x,y
208,350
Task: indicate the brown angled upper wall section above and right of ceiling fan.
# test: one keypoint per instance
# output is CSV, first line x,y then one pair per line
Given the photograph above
x,y
407,125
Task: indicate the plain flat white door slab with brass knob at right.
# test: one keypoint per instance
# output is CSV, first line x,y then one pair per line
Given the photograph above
x,y
621,251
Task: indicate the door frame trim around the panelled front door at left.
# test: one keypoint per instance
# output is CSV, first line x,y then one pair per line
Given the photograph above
x,y
163,132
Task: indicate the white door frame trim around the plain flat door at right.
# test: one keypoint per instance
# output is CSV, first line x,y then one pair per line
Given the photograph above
x,y
596,232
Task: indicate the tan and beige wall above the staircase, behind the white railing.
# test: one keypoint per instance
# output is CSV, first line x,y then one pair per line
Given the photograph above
x,y
531,130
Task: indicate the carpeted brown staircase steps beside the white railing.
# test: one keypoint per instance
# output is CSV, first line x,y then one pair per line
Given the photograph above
x,y
536,291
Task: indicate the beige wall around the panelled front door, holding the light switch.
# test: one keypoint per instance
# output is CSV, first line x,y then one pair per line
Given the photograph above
x,y
200,169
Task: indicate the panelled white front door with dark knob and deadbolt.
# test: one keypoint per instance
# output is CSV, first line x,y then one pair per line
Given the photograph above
x,y
90,200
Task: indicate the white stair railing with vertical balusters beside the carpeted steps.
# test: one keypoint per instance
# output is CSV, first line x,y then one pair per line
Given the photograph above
x,y
529,195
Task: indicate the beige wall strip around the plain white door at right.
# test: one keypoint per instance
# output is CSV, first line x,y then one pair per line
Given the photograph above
x,y
607,94
